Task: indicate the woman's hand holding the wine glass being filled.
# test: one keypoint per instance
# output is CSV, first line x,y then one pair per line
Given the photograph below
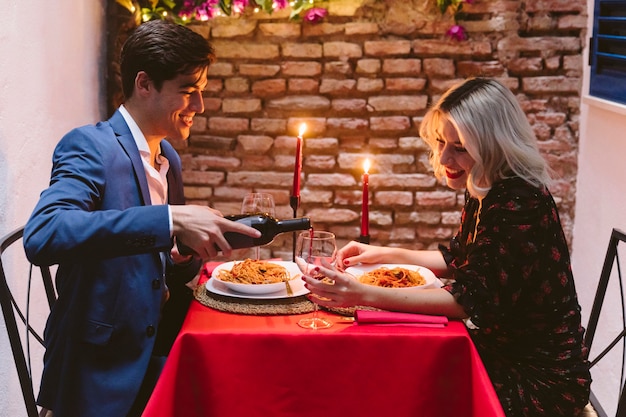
x,y
345,291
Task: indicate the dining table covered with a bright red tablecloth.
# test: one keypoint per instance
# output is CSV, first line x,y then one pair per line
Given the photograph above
x,y
228,362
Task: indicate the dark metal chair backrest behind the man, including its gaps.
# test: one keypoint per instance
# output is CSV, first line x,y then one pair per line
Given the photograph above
x,y
17,313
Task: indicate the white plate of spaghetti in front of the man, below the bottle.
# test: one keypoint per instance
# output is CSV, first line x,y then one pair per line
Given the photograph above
x,y
256,279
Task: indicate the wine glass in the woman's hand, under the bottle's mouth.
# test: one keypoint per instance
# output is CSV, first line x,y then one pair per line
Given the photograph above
x,y
315,247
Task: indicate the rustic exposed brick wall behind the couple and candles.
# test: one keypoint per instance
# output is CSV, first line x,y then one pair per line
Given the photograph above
x,y
362,80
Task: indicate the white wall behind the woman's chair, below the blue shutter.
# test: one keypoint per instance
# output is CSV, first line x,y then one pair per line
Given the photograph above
x,y
600,207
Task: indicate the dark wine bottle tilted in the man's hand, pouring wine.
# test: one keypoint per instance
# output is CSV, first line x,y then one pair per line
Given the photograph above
x,y
269,227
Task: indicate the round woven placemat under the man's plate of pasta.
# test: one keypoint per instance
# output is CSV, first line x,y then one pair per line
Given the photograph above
x,y
275,306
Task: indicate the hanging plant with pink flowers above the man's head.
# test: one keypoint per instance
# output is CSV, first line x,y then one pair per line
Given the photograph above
x,y
187,11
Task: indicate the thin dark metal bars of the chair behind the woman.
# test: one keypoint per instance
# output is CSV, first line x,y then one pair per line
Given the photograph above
x,y
611,259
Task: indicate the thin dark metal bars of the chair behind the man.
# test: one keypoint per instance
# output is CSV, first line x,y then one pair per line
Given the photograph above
x,y
11,311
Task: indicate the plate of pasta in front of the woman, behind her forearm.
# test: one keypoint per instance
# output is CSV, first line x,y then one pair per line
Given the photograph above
x,y
395,276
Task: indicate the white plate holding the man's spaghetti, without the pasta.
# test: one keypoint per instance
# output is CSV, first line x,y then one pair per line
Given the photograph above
x,y
260,291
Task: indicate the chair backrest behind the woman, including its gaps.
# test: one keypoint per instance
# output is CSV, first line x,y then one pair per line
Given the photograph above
x,y
607,351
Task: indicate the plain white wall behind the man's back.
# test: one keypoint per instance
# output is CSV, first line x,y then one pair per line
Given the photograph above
x,y
52,65
